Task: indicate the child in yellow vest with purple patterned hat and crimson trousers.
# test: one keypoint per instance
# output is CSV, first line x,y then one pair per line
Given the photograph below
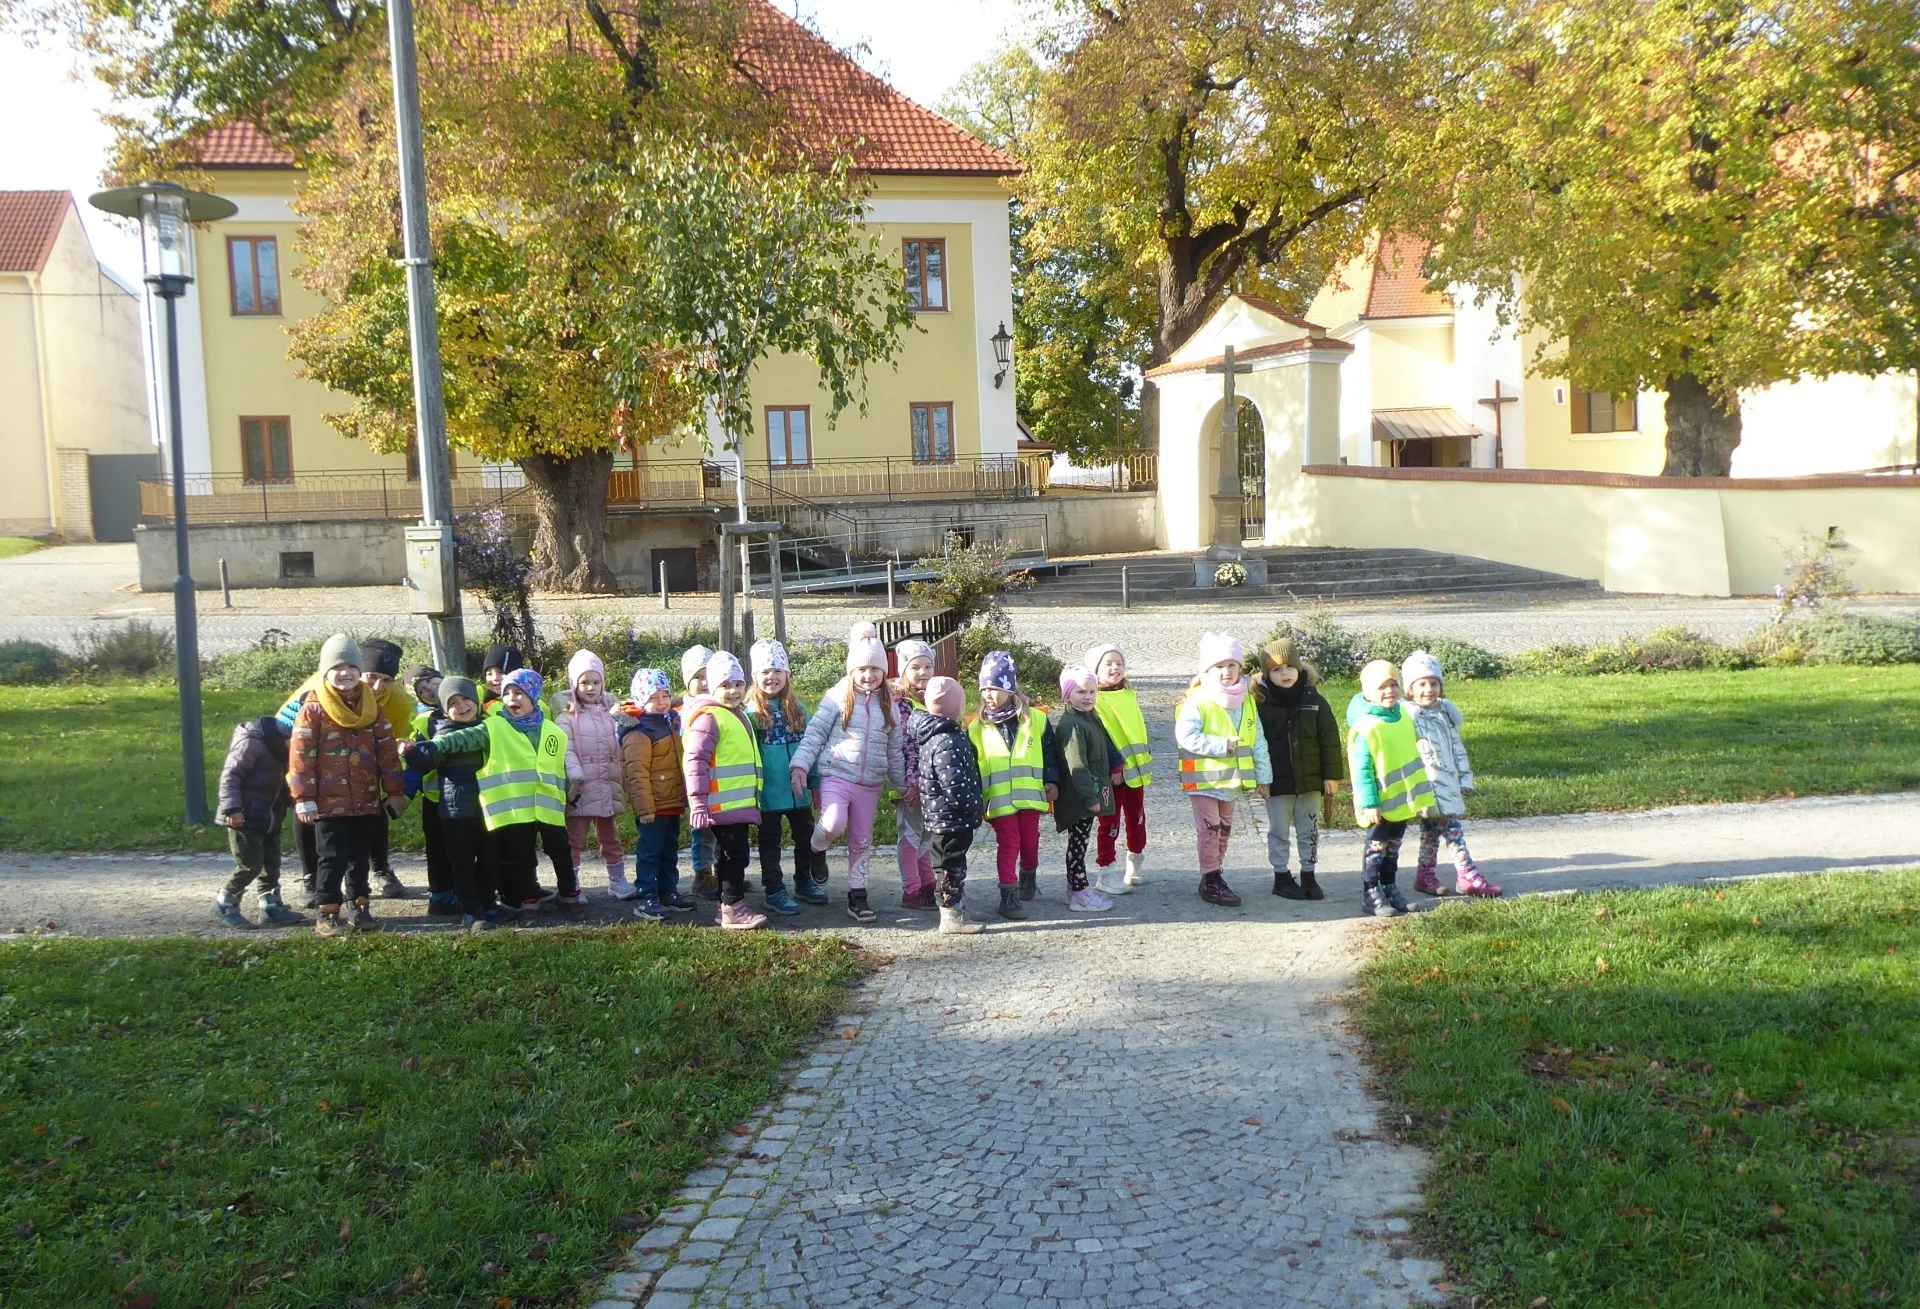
x,y
1015,744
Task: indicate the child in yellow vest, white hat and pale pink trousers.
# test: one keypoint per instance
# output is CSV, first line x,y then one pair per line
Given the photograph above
x,y
1224,755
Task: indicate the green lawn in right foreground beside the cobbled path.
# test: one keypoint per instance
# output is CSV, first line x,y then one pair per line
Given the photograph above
x,y
1666,1099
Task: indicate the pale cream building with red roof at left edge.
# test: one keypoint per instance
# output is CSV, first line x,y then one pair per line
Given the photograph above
x,y
74,416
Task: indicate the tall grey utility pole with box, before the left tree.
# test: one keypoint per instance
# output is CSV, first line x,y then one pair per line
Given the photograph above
x,y
423,329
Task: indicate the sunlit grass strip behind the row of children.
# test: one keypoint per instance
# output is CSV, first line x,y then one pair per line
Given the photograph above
x,y
95,767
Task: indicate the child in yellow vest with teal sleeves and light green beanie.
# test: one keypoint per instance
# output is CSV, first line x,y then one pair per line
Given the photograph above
x,y
1391,786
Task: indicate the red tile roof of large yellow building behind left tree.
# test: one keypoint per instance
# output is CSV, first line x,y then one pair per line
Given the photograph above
x,y
832,105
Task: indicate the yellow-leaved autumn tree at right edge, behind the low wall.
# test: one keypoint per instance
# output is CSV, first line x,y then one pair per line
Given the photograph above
x,y
1694,197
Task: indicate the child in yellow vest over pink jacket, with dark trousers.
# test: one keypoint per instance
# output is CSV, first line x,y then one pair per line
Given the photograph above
x,y
723,765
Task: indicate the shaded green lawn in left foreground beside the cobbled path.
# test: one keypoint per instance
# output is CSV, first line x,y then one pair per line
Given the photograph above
x,y
375,1122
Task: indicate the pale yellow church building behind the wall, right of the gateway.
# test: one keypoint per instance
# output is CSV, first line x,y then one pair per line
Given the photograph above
x,y
1437,381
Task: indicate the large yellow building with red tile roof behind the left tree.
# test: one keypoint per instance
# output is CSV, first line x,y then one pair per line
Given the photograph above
x,y
938,199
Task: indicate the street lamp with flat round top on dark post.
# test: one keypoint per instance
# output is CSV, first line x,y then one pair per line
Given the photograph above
x,y
166,216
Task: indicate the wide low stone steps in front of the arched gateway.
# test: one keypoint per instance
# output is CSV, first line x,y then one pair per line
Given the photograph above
x,y
1293,573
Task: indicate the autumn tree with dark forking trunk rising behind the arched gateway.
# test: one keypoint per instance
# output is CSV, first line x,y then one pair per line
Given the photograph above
x,y
1216,145
